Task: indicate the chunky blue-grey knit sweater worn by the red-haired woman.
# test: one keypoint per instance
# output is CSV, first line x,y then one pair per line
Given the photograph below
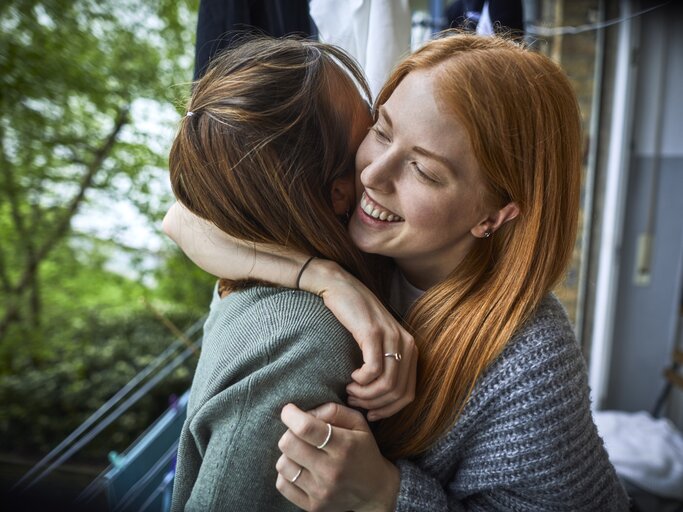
x,y
526,440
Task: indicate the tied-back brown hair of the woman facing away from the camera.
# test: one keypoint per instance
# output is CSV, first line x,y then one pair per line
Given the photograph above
x,y
267,135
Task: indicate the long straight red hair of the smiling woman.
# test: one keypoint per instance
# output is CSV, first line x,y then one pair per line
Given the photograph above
x,y
523,121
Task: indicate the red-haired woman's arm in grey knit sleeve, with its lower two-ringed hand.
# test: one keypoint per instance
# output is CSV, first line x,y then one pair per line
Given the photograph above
x,y
526,439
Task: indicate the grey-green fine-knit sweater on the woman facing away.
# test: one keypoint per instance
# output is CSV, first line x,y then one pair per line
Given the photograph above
x,y
263,348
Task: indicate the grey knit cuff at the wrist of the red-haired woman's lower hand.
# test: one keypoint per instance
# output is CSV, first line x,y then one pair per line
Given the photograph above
x,y
418,491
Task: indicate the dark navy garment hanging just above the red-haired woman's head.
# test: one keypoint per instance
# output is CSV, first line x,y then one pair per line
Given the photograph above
x,y
505,15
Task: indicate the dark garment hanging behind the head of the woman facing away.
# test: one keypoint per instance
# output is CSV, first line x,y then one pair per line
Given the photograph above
x,y
221,21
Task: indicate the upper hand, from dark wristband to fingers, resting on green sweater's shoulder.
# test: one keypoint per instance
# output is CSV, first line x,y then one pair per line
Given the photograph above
x,y
382,385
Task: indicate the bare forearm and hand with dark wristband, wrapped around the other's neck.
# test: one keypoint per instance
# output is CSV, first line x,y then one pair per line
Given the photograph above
x,y
382,385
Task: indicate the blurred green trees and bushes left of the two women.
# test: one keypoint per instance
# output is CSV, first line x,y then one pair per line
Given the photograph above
x,y
73,74
